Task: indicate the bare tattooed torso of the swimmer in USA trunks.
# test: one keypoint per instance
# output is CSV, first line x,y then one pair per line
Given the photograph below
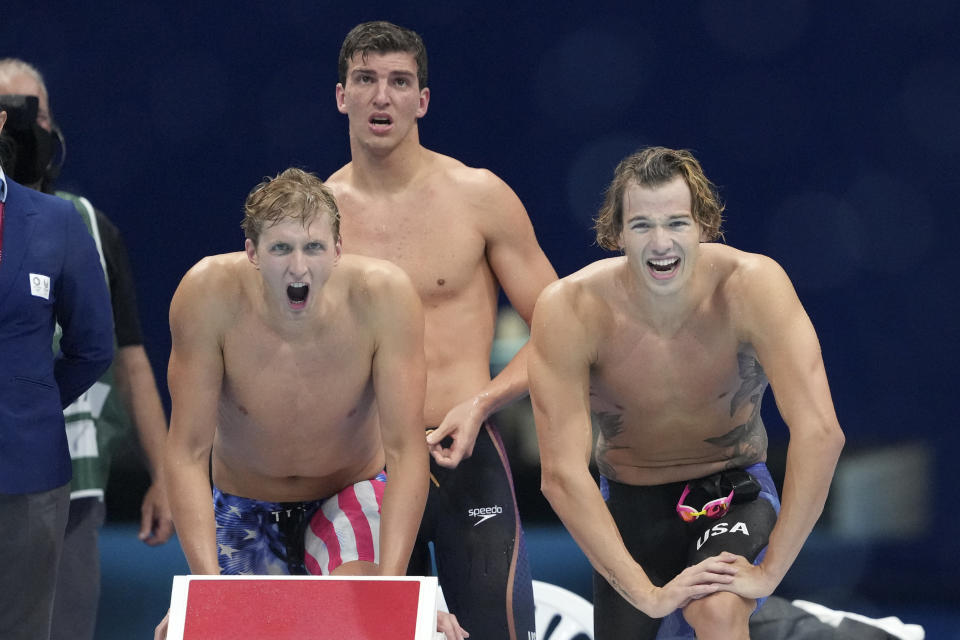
x,y
677,406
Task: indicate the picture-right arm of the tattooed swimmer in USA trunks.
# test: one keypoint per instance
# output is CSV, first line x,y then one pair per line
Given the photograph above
x,y
789,352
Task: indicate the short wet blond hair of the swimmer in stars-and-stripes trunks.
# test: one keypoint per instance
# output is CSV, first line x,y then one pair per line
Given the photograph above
x,y
293,194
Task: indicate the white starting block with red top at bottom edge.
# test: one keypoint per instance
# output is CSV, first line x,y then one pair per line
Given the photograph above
x,y
302,608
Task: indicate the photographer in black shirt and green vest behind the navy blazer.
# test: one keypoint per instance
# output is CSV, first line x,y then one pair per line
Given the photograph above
x,y
101,414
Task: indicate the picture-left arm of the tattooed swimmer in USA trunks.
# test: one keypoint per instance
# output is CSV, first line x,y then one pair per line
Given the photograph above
x,y
559,365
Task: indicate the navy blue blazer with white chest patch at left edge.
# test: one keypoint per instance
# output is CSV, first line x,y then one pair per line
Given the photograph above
x,y
50,273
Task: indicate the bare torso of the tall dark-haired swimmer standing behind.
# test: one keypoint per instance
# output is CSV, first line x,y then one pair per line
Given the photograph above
x,y
434,231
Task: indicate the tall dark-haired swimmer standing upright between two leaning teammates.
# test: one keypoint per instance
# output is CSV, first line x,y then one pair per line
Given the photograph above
x,y
461,234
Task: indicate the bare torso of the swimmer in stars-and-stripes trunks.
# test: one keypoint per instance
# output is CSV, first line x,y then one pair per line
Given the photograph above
x,y
297,413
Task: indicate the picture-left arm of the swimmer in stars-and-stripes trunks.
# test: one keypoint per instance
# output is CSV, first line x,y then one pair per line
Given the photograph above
x,y
194,376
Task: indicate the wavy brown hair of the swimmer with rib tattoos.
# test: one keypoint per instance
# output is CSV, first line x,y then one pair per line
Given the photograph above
x,y
652,167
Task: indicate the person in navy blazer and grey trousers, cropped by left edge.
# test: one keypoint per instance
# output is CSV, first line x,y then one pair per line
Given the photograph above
x,y
50,277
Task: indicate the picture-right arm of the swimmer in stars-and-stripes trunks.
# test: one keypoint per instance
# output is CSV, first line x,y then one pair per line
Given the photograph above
x,y
399,378
